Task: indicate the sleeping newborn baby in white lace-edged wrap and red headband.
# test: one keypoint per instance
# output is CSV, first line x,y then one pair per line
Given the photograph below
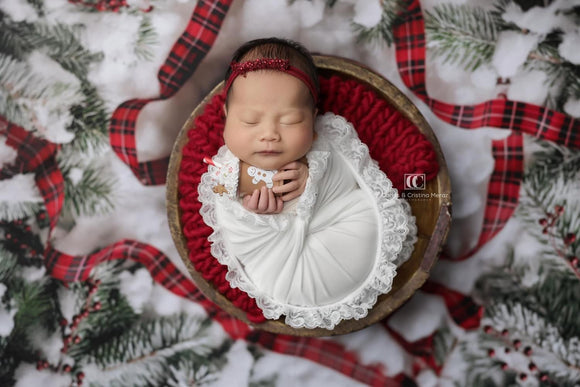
x,y
321,237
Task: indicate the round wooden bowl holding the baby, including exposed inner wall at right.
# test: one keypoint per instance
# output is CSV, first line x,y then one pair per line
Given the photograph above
x,y
433,214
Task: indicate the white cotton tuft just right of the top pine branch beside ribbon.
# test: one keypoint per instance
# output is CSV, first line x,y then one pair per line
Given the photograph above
x,y
511,51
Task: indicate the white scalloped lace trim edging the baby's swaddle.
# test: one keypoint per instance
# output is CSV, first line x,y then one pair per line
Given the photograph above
x,y
397,228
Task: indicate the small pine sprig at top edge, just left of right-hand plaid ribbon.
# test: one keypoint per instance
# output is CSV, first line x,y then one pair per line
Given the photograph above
x,y
383,31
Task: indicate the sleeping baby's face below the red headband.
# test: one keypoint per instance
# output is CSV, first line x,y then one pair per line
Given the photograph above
x,y
269,119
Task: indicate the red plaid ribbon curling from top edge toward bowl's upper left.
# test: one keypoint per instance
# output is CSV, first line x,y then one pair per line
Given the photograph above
x,y
190,48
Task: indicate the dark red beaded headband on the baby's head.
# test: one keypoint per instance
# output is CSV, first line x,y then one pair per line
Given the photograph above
x,y
270,64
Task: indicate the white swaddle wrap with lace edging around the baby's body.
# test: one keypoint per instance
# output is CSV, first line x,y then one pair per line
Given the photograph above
x,y
327,257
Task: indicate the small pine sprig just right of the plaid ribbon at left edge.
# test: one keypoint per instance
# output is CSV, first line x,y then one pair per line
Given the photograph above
x,y
91,195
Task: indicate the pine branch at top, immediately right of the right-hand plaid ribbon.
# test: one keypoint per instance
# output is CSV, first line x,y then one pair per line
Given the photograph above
x,y
462,34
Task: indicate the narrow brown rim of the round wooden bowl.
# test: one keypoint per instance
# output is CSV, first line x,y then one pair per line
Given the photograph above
x,y
385,89
